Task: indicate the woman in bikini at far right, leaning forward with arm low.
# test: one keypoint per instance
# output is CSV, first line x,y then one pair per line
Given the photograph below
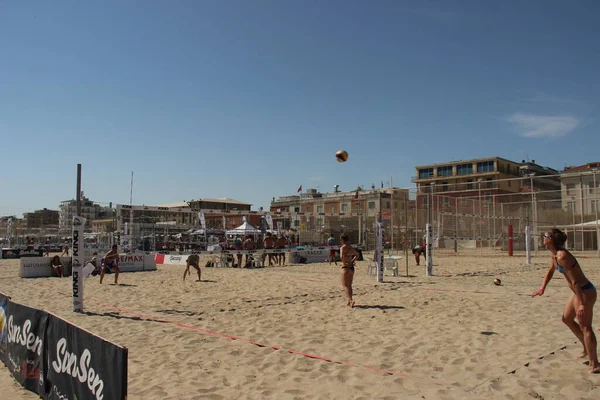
x,y
581,302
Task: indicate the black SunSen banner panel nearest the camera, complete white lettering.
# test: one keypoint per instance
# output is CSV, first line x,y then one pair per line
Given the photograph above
x,y
81,365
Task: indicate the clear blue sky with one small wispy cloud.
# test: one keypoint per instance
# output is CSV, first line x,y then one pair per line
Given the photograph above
x,y
251,99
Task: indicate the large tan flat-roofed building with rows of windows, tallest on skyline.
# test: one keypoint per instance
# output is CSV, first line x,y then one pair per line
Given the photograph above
x,y
483,177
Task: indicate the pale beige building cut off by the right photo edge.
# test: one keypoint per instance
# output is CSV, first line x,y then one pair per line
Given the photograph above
x,y
579,185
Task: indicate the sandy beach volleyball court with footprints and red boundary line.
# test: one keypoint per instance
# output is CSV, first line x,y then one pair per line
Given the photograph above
x,y
451,336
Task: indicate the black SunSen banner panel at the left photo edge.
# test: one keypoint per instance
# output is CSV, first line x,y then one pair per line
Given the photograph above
x,y
24,328
